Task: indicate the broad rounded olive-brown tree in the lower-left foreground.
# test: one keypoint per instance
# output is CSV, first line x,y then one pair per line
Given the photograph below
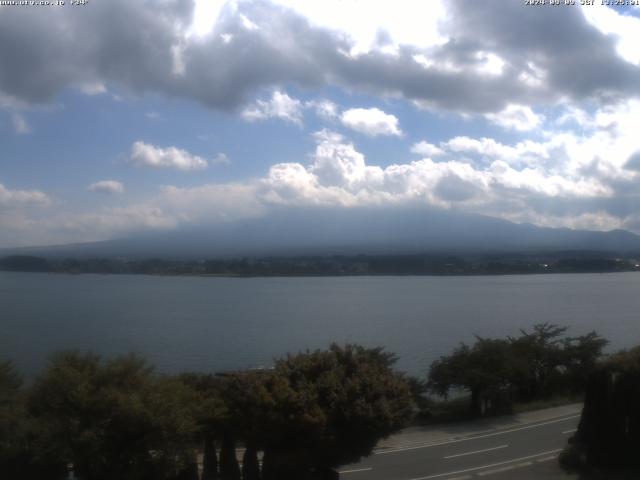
x,y
115,418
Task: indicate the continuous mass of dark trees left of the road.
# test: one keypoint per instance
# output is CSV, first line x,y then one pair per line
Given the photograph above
x,y
118,418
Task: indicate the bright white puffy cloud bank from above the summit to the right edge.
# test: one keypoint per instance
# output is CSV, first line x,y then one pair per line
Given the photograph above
x,y
567,180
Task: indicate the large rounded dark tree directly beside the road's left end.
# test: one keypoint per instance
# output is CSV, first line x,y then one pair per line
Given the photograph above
x,y
328,408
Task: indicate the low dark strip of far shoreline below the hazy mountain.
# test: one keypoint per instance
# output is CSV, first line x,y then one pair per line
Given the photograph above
x,y
336,265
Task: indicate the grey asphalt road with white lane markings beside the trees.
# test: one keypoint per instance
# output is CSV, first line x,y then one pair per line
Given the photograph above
x,y
494,452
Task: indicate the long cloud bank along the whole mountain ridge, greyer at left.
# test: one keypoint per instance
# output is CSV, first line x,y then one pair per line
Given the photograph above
x,y
569,179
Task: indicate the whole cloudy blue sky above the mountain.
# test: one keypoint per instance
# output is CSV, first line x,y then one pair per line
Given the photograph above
x,y
119,117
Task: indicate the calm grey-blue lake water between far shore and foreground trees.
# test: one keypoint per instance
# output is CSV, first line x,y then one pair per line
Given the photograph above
x,y
182,323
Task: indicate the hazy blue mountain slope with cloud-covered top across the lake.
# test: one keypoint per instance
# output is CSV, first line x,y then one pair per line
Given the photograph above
x,y
349,231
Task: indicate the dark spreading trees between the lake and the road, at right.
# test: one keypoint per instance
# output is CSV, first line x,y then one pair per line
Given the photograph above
x,y
535,364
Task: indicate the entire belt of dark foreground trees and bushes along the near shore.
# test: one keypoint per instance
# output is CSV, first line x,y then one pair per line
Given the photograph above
x,y
309,414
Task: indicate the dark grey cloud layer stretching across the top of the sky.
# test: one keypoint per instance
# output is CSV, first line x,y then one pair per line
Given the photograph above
x,y
135,45
